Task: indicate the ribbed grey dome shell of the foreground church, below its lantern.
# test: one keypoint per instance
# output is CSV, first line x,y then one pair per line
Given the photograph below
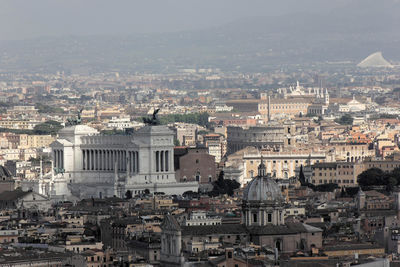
x,y
263,189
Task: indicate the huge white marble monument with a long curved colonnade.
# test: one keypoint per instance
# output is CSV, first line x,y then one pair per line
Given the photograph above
x,y
87,164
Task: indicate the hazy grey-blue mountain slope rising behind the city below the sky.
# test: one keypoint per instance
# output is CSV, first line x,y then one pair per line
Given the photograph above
x,y
252,44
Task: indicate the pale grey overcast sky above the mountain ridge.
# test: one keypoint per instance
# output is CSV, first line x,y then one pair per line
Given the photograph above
x,y
21,19
